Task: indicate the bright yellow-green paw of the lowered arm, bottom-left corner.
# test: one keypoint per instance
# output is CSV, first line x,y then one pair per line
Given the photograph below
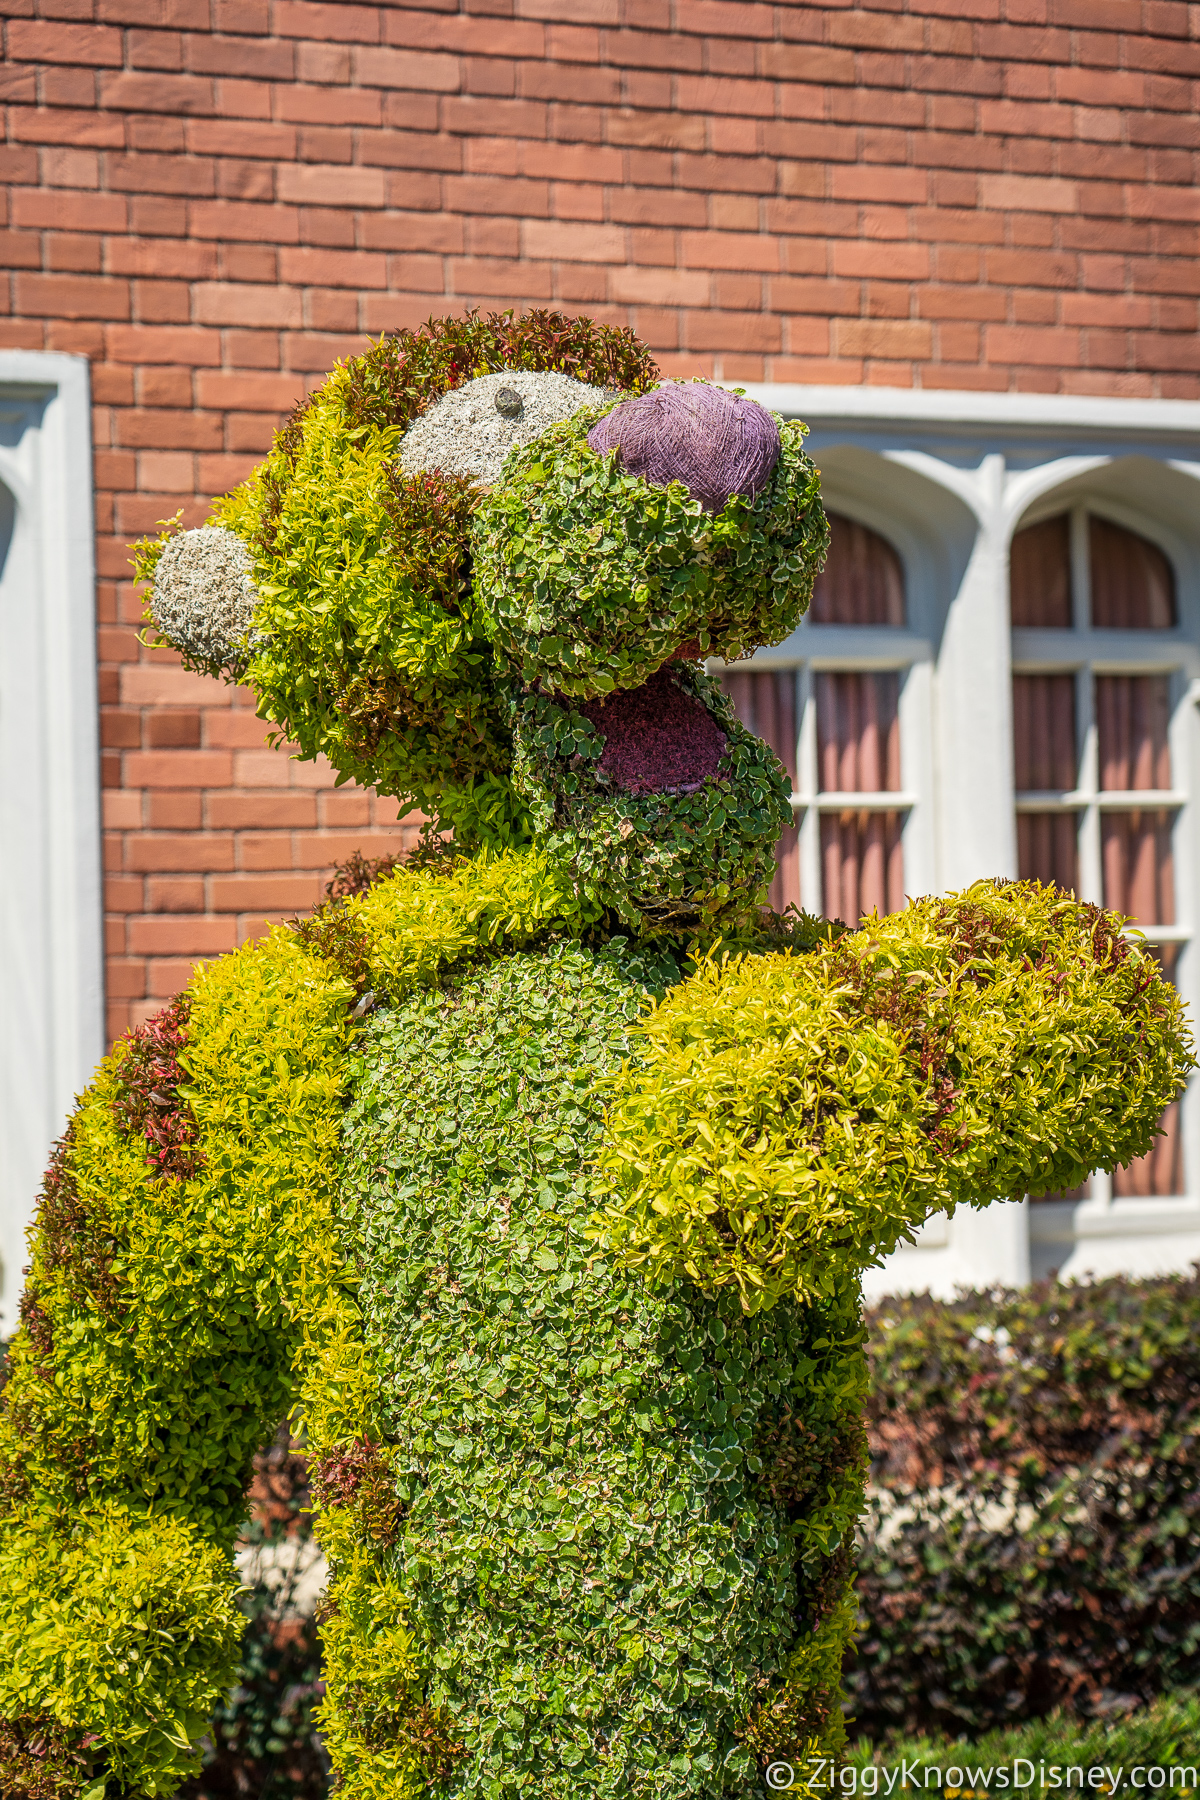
x,y
120,1630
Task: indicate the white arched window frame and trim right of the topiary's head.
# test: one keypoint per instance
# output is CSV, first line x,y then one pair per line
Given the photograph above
x,y
949,478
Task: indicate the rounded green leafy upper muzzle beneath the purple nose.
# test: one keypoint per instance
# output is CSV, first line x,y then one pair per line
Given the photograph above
x,y
589,579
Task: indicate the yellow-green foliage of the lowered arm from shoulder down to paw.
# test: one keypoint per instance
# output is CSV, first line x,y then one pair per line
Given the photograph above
x,y
206,1273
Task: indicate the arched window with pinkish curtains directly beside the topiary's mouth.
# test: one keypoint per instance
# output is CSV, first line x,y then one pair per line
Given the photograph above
x,y
837,708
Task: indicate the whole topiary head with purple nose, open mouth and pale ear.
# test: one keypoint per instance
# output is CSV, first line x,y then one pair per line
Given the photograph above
x,y
488,559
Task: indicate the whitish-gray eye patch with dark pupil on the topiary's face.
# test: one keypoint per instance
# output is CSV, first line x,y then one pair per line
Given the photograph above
x,y
472,429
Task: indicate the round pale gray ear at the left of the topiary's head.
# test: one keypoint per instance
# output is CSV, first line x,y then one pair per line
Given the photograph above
x,y
204,598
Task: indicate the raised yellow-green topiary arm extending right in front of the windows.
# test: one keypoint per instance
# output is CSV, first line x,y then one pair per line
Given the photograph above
x,y
796,1117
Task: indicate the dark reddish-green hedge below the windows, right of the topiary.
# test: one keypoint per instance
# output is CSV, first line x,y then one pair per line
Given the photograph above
x,y
1035,1509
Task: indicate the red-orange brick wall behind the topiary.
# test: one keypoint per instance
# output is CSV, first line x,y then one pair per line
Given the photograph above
x,y
215,199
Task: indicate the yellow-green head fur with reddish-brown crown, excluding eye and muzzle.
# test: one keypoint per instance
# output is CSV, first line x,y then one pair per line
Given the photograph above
x,y
366,642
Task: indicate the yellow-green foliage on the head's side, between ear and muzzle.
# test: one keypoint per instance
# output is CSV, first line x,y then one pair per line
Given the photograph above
x,y
355,654
